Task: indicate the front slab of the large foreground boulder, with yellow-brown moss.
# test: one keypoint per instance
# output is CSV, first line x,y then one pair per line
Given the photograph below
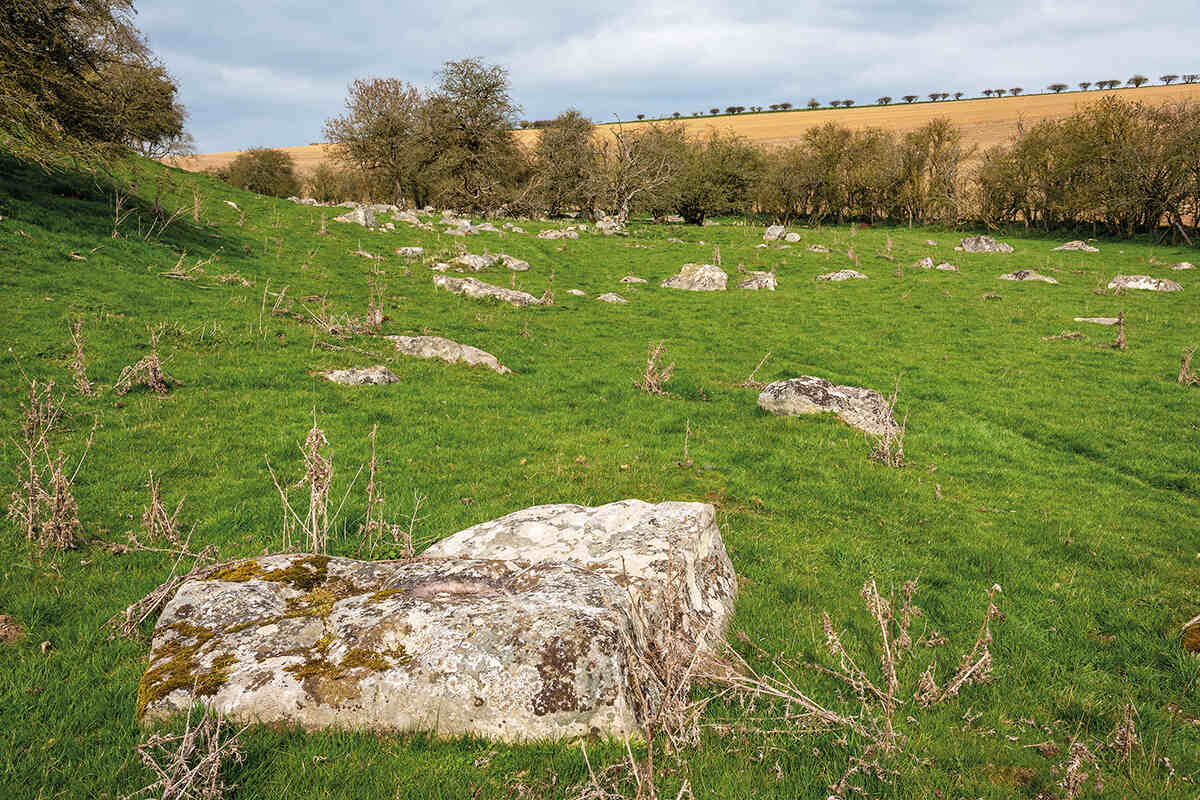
x,y
454,646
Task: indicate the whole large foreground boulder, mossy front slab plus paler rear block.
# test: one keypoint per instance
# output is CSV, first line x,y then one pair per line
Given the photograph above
x,y
537,625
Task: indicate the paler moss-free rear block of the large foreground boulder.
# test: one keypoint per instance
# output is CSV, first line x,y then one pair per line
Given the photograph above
x,y
669,556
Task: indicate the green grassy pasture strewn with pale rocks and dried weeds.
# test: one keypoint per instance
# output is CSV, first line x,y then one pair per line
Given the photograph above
x,y
1065,471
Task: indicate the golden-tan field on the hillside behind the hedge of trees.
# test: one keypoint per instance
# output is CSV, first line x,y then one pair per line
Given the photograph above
x,y
985,122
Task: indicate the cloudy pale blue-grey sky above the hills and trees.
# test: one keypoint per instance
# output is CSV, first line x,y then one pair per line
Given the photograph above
x,y
269,75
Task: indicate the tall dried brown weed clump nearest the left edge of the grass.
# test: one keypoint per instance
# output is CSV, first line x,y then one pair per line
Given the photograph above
x,y
44,504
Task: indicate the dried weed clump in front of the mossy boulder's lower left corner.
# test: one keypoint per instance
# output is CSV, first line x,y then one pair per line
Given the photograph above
x,y
188,766
